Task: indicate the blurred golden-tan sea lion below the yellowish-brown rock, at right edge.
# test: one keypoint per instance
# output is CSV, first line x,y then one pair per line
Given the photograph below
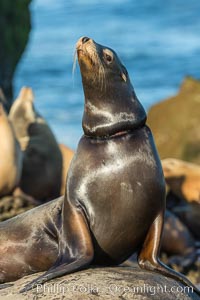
x,y
183,179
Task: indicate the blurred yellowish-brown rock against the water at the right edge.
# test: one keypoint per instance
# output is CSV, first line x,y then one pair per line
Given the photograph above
x,y
175,123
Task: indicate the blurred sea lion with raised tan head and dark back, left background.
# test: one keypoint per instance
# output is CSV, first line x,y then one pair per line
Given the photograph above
x,y
42,164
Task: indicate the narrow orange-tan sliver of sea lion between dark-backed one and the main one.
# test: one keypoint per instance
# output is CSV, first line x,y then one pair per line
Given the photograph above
x,y
67,155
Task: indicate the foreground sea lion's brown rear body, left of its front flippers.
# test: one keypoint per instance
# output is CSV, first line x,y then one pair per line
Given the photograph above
x,y
29,241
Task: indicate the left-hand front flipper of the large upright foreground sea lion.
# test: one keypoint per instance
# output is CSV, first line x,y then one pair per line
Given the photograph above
x,y
75,247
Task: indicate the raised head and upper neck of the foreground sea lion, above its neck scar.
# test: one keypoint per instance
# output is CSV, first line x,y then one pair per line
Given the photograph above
x,y
111,105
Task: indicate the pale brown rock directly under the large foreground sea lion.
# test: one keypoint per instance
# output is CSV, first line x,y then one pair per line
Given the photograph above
x,y
103,283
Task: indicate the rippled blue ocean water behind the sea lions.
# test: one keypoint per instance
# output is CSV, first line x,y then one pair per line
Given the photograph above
x,y
158,41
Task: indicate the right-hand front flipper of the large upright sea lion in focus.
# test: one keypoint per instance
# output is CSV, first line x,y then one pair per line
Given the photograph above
x,y
148,256
